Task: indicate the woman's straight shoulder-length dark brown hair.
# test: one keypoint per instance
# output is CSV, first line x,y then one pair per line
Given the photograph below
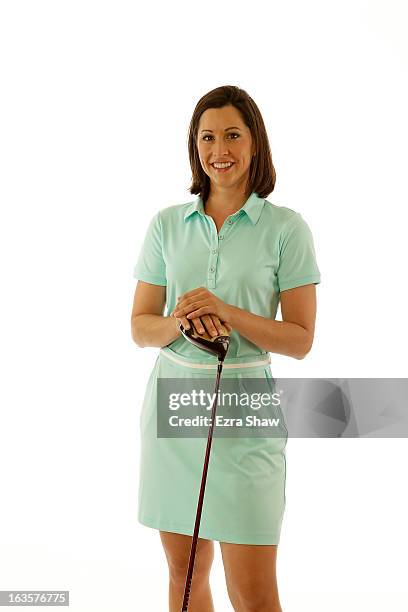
x,y
262,174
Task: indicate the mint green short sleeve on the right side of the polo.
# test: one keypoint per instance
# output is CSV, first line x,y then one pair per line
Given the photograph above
x,y
297,258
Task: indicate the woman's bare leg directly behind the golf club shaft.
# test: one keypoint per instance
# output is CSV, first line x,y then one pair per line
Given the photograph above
x,y
177,549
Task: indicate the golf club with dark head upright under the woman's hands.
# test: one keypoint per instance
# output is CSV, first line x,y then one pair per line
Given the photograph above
x,y
218,346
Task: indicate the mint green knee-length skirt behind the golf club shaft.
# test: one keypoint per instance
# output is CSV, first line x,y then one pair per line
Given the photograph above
x,y
244,498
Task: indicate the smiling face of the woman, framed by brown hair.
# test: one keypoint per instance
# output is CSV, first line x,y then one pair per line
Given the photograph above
x,y
223,136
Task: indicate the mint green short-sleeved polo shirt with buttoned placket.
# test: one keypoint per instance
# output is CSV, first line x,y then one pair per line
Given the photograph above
x,y
261,250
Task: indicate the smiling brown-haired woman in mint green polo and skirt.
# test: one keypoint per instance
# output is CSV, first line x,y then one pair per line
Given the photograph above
x,y
227,257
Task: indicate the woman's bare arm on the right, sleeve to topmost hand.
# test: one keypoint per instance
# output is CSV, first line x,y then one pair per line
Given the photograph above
x,y
293,336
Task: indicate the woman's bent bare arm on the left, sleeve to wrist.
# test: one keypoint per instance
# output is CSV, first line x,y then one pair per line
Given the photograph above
x,y
149,326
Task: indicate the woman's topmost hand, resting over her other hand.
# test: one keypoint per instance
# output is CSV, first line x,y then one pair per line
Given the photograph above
x,y
199,302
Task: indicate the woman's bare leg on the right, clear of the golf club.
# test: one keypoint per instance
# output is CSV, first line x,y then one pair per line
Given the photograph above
x,y
250,572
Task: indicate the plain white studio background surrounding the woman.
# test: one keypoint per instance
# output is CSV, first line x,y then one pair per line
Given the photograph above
x,y
96,98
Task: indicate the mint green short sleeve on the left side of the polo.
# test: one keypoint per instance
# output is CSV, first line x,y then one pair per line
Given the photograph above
x,y
150,265
